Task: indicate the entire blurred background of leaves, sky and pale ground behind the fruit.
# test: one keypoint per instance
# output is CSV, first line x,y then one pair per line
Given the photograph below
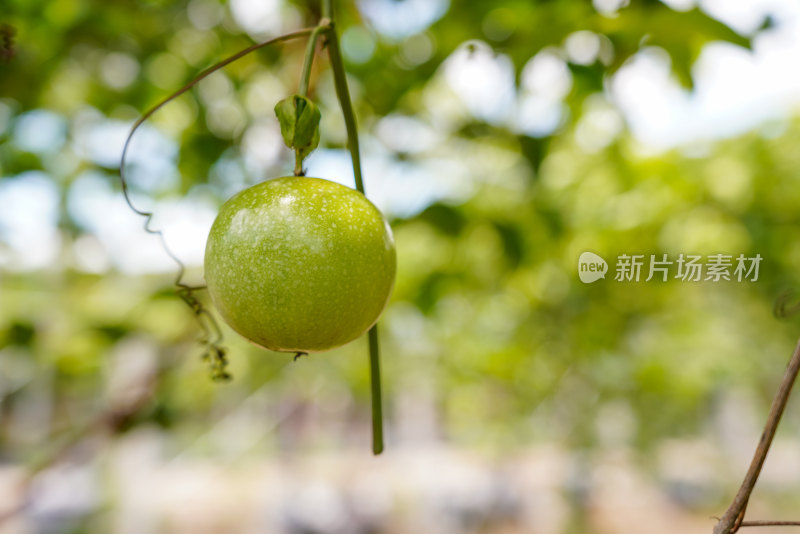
x,y
503,139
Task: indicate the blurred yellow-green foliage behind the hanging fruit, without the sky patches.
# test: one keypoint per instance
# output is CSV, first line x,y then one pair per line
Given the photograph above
x,y
488,320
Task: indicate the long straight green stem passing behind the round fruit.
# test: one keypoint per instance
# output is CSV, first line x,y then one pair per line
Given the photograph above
x,y
343,93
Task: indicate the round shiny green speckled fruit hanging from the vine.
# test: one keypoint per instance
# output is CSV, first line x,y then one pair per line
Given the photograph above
x,y
299,264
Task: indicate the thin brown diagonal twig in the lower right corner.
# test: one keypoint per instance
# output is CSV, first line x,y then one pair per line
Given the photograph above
x,y
733,517
